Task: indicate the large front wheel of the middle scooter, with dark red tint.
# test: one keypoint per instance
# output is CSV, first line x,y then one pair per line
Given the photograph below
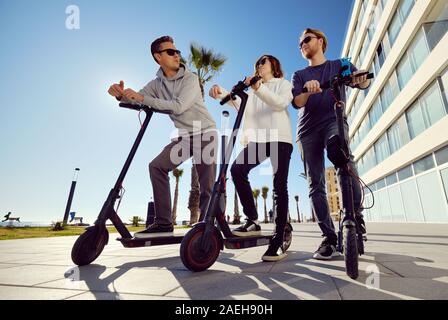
x,y
193,256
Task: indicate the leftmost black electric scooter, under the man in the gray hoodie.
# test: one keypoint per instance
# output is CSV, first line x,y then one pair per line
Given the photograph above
x,y
91,243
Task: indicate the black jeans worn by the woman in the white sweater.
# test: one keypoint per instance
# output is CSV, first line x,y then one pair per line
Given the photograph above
x,y
249,158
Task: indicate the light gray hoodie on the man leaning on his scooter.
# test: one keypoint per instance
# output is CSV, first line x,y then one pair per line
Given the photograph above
x,y
182,95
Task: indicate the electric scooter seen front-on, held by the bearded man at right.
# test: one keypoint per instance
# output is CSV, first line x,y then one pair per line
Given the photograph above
x,y
350,237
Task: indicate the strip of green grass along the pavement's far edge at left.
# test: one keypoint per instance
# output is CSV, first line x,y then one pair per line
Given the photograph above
x,y
8,233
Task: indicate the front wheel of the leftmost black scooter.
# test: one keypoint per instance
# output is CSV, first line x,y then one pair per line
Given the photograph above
x,y
89,245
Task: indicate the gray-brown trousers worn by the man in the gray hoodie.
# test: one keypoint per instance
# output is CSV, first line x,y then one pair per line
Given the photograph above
x,y
203,149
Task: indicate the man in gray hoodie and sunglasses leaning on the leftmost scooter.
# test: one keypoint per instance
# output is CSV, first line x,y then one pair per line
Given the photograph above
x,y
175,89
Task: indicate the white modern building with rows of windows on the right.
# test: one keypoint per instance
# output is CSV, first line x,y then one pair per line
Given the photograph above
x,y
399,126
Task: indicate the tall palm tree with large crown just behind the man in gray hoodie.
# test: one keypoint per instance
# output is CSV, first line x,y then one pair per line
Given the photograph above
x,y
207,64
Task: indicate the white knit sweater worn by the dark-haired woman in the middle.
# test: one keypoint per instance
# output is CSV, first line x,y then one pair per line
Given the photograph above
x,y
266,118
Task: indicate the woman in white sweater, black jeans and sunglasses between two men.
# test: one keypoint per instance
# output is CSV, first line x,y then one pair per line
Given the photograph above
x,y
266,134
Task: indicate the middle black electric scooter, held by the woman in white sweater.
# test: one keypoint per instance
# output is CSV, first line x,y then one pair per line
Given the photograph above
x,y
201,245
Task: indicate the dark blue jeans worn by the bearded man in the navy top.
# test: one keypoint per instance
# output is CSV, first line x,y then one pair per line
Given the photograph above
x,y
312,147
